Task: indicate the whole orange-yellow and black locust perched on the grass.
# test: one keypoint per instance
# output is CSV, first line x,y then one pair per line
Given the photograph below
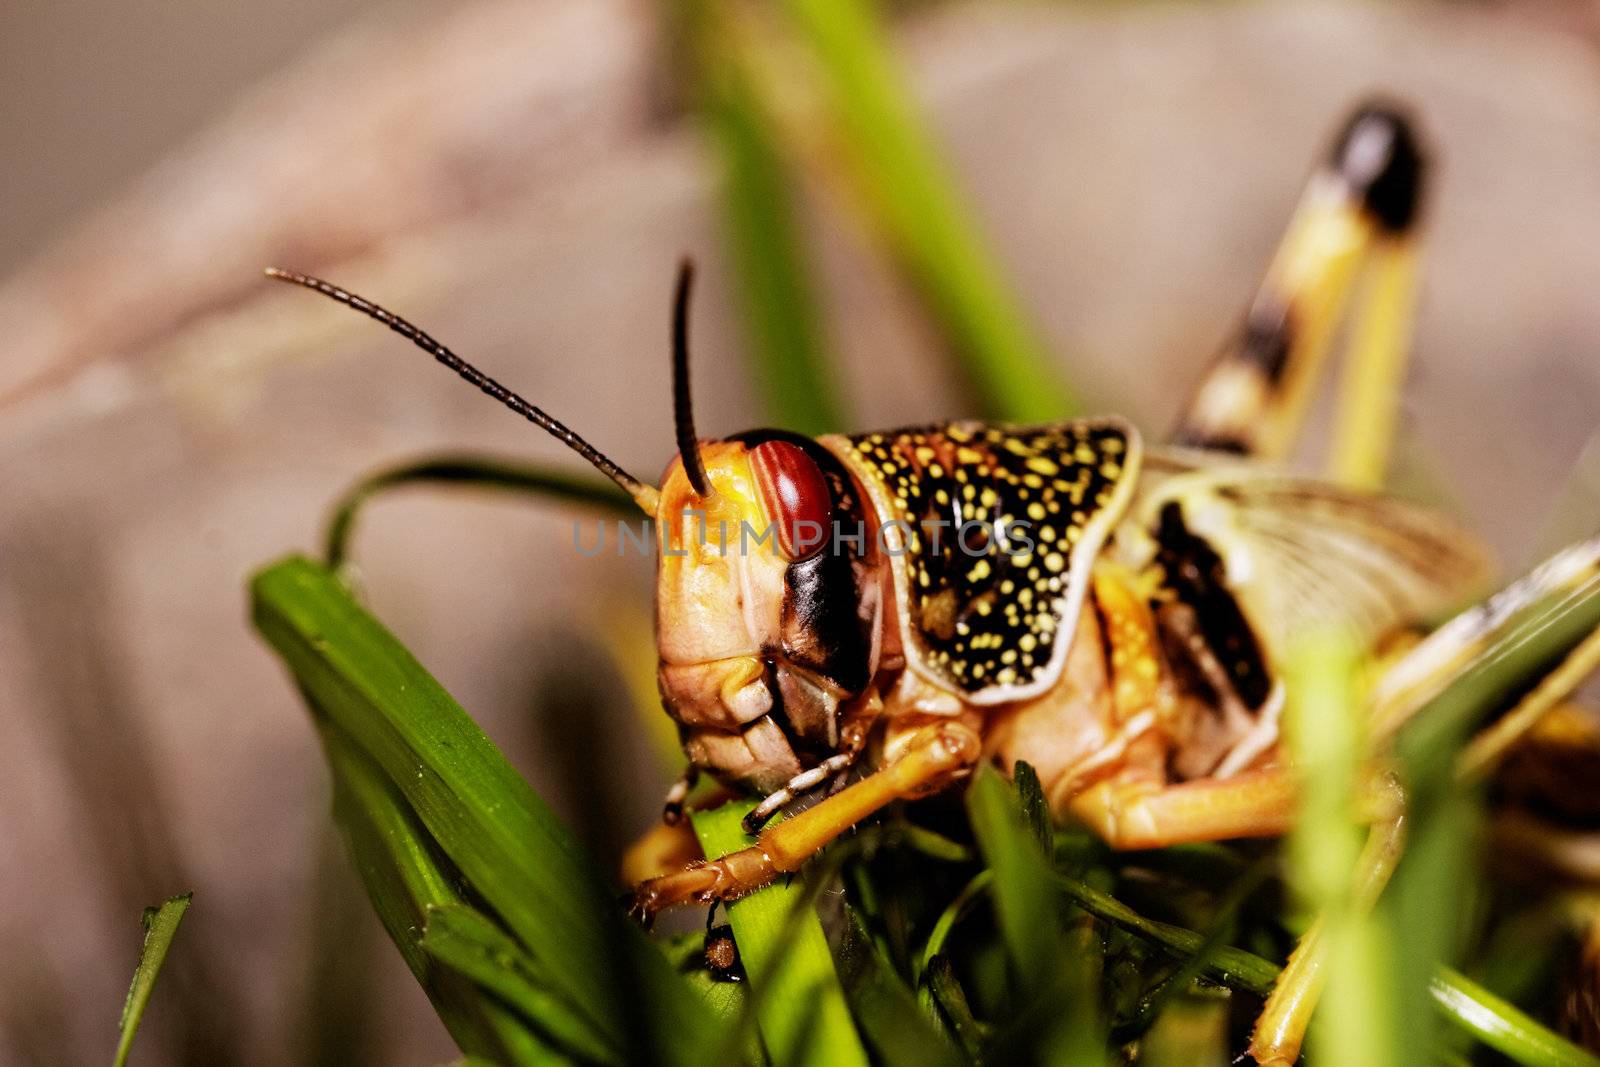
x,y
863,618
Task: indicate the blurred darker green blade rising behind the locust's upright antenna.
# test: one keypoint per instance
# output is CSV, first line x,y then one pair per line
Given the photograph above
x,y
761,223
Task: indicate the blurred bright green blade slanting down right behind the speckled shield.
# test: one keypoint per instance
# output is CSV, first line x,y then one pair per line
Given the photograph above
x,y
916,202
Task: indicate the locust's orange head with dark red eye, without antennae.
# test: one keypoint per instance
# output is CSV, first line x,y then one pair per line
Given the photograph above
x,y
767,607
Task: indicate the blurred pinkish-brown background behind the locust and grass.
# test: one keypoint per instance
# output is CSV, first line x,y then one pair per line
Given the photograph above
x,y
522,178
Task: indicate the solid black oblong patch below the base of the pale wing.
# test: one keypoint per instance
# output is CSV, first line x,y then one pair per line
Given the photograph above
x,y
1198,575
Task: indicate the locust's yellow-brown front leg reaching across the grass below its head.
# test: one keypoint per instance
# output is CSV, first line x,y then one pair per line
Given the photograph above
x,y
938,756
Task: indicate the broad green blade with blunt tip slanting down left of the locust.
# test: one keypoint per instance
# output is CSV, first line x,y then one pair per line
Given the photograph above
x,y
484,817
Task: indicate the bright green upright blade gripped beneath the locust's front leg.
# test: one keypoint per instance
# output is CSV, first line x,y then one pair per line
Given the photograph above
x,y
799,1001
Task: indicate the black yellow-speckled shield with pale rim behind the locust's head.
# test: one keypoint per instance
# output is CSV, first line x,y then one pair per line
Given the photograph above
x,y
986,610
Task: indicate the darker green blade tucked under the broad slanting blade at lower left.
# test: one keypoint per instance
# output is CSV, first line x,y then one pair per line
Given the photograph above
x,y
404,876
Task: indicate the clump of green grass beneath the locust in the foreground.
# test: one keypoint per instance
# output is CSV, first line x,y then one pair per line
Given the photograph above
x,y
967,933
